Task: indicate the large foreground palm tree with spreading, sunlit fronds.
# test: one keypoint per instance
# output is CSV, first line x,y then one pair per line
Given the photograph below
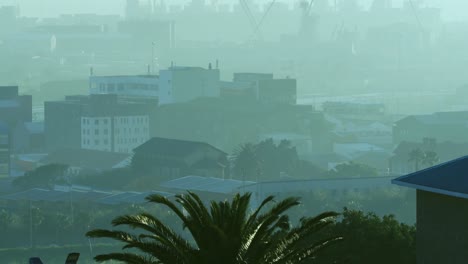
x,y
224,233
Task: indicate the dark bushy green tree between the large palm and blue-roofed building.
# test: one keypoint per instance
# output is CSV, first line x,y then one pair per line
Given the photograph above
x,y
372,239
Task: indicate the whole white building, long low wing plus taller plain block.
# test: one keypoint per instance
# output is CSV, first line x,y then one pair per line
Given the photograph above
x,y
173,85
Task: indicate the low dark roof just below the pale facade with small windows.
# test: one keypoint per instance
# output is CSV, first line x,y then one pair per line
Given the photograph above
x,y
85,158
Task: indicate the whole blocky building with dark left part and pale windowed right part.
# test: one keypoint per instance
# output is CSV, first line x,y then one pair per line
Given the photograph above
x,y
99,122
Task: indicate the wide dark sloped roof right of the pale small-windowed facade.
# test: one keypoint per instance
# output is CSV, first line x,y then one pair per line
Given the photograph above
x,y
173,147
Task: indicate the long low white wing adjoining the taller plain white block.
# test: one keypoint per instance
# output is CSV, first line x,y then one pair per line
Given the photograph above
x,y
137,85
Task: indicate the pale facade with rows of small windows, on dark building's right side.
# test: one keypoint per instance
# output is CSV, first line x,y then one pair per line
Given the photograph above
x,y
117,134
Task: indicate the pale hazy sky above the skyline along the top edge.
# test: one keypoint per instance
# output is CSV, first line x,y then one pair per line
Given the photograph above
x,y
453,9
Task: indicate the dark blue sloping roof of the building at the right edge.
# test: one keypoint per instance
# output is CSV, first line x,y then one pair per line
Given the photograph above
x,y
449,178
